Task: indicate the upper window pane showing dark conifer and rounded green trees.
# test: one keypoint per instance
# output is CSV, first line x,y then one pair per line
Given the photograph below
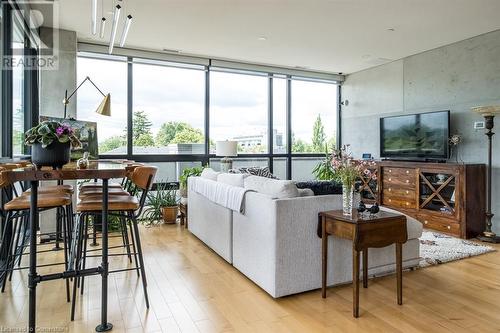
x,y
169,108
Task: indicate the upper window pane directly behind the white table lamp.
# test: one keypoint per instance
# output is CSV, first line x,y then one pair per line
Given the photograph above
x,y
239,111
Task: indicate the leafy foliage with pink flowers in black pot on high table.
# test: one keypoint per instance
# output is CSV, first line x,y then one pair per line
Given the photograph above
x,y
47,132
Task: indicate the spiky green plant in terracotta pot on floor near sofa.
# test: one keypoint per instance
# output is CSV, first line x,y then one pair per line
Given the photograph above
x,y
161,205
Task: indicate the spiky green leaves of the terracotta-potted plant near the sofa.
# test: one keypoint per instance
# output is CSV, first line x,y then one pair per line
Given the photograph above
x,y
163,196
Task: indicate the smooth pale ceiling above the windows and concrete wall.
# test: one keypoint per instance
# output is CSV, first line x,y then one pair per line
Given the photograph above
x,y
326,35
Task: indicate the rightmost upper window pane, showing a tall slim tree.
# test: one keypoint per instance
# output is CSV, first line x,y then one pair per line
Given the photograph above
x,y
314,116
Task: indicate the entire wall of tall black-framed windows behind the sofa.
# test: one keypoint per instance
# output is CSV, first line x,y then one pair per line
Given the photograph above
x,y
173,113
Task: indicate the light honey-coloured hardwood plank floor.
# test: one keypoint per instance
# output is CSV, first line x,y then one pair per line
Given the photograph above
x,y
191,289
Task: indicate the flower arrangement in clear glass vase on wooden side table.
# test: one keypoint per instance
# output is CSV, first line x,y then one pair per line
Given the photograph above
x,y
347,170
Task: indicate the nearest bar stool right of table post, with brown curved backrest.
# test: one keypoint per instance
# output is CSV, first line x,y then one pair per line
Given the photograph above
x,y
127,207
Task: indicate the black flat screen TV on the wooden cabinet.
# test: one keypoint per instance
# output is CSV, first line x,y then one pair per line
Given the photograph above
x,y
415,136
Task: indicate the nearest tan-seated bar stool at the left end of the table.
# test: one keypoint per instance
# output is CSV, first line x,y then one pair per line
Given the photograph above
x,y
15,235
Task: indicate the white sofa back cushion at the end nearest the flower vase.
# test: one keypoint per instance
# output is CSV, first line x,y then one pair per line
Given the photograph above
x,y
277,189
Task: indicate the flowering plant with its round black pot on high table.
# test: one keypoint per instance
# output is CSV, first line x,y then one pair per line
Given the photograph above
x,y
51,144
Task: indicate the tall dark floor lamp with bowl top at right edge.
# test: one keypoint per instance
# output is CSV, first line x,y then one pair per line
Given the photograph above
x,y
488,112
